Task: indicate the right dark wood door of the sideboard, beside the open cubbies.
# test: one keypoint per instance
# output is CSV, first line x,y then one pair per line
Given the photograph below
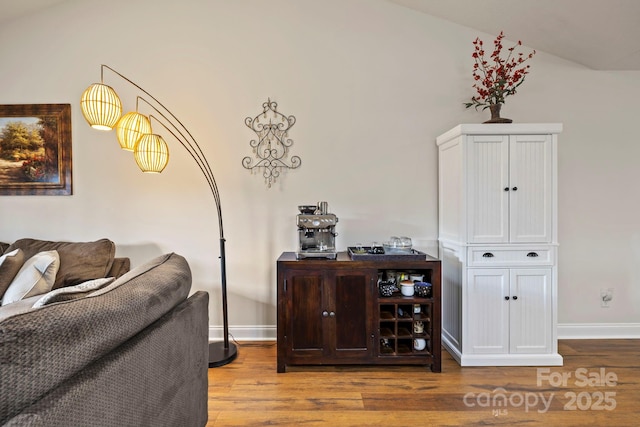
x,y
352,308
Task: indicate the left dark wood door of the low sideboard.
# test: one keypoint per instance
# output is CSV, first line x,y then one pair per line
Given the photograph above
x,y
305,298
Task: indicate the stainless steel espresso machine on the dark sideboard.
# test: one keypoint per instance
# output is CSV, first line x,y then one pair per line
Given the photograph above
x,y
316,232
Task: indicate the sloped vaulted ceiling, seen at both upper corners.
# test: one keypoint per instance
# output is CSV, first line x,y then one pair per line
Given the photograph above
x,y
599,34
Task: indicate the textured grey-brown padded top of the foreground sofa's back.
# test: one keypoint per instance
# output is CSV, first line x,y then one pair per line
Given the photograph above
x,y
46,346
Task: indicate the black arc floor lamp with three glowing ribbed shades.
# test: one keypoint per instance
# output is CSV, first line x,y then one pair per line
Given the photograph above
x,y
102,108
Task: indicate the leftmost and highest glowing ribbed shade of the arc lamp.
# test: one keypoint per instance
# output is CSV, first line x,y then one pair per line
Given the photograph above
x,y
101,106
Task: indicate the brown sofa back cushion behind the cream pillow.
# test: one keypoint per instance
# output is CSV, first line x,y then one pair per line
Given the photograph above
x,y
79,261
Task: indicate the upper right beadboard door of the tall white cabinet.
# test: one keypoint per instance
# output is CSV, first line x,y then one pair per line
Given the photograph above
x,y
530,183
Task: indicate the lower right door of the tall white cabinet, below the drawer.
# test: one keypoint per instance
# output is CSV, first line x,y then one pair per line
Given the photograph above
x,y
530,311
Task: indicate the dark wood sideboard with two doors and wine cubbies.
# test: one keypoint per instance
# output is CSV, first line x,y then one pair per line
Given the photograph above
x,y
330,312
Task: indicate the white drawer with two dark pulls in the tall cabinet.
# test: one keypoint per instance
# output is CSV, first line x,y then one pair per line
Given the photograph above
x,y
499,256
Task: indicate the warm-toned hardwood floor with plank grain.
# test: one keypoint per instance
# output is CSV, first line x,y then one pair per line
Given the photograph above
x,y
598,385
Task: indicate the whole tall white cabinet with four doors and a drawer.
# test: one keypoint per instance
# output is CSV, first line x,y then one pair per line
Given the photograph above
x,y
498,240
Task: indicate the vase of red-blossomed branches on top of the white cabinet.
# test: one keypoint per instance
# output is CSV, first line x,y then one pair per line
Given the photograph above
x,y
497,77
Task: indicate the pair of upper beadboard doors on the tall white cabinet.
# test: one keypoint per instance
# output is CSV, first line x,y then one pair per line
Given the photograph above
x,y
509,182
